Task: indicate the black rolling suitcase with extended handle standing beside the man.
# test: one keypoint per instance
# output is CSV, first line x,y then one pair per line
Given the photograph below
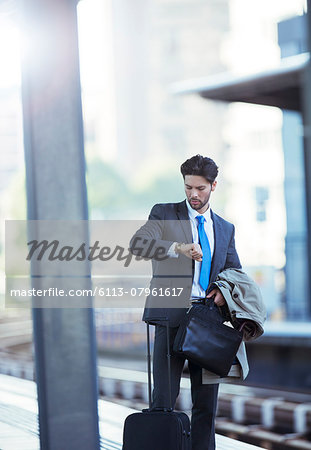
x,y
160,429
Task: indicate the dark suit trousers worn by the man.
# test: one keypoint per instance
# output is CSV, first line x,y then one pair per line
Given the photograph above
x,y
204,396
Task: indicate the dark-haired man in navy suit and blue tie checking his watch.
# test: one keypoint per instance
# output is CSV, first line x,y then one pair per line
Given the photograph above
x,y
189,246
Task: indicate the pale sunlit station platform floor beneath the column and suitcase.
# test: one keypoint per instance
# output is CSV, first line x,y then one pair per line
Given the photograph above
x,y
19,420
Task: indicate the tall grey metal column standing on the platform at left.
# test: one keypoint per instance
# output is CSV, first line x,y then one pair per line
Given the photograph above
x,y
64,338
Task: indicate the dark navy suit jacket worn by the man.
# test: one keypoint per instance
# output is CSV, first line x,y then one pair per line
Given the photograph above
x,y
171,283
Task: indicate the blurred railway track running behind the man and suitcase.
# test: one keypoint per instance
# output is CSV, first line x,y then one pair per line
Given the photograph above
x,y
272,419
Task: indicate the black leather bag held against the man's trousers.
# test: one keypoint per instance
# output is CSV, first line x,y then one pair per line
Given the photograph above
x,y
204,339
